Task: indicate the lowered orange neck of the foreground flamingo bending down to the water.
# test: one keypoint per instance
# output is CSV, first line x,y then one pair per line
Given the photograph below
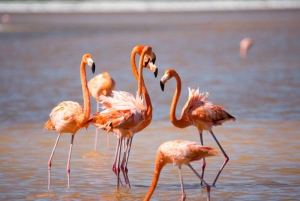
x,y
159,164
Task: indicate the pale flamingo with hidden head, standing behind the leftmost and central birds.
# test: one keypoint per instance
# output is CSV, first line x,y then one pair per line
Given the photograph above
x,y
101,84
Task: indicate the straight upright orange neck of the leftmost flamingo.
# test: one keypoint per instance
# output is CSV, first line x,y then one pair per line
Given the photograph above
x,y
85,92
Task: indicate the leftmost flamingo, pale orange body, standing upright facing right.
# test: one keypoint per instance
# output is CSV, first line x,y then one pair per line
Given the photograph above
x,y
69,116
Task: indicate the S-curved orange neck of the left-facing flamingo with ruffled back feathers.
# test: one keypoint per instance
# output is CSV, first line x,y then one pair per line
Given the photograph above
x,y
180,123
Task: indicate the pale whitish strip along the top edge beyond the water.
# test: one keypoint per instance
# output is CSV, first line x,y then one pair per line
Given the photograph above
x,y
142,6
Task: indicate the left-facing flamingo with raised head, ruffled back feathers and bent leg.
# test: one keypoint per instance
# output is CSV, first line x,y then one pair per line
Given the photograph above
x,y
199,112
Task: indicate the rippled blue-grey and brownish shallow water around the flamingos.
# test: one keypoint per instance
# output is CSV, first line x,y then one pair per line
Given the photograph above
x,y
40,56
